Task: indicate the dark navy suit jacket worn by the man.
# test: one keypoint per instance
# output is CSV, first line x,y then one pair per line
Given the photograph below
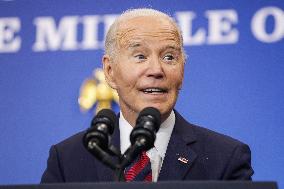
x,y
211,156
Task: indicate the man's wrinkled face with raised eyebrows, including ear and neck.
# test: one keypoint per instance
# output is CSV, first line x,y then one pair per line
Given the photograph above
x,y
148,67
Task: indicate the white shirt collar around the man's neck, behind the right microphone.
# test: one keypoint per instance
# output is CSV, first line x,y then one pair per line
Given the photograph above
x,y
162,138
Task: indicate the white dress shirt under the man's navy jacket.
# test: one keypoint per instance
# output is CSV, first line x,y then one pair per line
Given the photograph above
x,y
158,152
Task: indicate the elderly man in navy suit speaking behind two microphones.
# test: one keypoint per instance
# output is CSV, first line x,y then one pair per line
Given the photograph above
x,y
144,62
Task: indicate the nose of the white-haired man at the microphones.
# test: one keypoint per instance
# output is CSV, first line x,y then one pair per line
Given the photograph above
x,y
155,68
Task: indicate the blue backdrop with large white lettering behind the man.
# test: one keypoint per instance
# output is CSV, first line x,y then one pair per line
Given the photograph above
x,y
233,77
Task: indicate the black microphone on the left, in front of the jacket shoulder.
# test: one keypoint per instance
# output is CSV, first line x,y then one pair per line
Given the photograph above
x,y
97,138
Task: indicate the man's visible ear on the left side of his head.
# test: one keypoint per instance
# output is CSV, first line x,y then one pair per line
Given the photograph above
x,y
108,68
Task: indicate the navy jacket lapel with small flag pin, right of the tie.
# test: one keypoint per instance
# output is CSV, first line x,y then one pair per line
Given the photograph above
x,y
179,156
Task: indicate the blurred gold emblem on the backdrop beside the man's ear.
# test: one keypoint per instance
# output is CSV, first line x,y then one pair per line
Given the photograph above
x,y
96,90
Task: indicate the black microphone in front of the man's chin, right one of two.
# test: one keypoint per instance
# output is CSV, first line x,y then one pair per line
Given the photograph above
x,y
143,135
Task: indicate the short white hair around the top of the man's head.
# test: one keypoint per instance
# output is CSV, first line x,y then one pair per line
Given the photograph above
x,y
111,37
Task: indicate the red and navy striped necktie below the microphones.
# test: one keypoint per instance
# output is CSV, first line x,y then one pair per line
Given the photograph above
x,y
139,170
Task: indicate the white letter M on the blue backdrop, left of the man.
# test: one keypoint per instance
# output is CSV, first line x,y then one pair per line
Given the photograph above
x,y
50,37
